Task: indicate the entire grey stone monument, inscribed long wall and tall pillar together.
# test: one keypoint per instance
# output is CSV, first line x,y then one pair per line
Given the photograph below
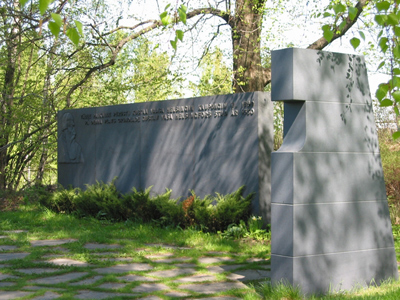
x,y
331,228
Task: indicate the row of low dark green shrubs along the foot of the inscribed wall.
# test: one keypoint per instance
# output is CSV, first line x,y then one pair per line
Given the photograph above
x,y
103,201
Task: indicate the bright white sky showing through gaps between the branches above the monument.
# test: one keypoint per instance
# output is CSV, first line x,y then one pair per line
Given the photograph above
x,y
293,23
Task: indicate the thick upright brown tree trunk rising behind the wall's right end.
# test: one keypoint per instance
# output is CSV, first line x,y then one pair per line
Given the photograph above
x,y
246,32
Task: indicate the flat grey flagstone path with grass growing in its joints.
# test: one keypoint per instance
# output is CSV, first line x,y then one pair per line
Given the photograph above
x,y
106,271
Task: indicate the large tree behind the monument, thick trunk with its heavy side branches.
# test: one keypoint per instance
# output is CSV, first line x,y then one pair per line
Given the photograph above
x,y
245,21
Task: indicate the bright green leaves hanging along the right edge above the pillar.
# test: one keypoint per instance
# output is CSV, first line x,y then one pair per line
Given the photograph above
x,y
386,25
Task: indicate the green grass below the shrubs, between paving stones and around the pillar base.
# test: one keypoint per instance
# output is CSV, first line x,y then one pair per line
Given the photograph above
x,y
43,224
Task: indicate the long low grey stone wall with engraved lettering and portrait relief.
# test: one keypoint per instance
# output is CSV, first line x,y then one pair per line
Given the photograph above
x,y
207,144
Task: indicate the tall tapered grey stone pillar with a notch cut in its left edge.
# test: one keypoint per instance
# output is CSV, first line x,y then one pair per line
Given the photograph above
x,y
331,227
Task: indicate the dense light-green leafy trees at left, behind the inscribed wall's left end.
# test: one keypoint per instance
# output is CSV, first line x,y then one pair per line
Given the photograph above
x,y
41,74
